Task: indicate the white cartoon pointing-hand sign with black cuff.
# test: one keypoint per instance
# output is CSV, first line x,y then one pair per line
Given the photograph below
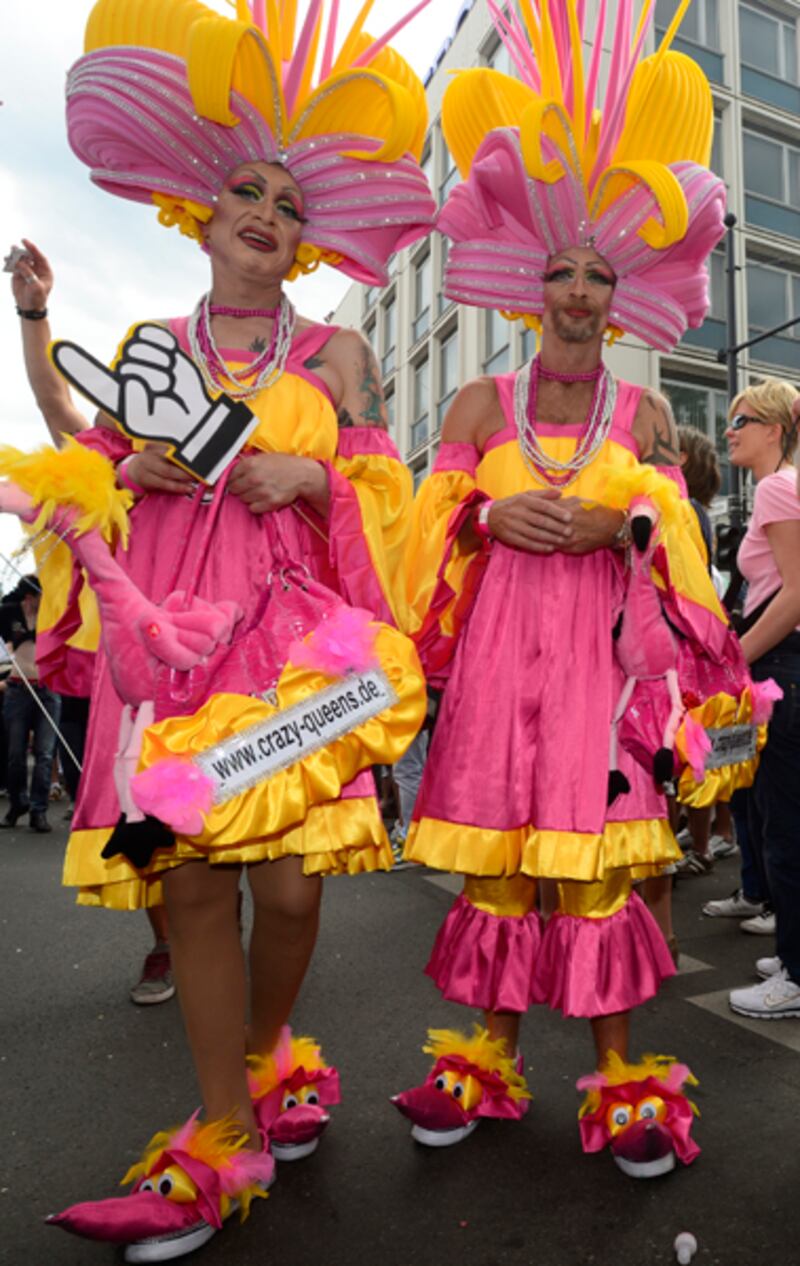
x,y
156,393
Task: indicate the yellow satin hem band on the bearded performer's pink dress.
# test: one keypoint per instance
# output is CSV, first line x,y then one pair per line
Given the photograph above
x,y
642,848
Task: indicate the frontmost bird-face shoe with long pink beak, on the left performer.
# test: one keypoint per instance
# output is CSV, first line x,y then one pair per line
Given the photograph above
x,y
185,1187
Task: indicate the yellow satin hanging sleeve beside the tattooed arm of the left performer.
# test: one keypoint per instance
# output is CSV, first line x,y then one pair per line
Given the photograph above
x,y
383,487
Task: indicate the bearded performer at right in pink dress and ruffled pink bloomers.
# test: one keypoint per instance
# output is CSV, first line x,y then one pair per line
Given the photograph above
x,y
532,607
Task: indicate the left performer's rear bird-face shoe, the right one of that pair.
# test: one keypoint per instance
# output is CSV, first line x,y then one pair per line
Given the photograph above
x,y
292,1088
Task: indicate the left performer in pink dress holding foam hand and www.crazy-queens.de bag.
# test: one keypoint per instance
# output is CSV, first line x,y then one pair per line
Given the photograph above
x,y
288,556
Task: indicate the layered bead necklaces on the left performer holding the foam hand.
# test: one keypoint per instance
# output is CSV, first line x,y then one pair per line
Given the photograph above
x,y
264,372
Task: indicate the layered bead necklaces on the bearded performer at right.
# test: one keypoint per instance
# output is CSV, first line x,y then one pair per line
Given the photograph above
x,y
550,470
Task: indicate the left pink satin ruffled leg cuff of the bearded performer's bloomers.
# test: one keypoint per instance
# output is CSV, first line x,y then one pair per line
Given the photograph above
x,y
485,960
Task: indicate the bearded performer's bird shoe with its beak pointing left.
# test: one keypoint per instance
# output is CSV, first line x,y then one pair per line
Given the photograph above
x,y
472,1078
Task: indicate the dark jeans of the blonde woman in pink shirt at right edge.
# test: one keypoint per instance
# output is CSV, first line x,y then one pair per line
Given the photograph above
x,y
774,810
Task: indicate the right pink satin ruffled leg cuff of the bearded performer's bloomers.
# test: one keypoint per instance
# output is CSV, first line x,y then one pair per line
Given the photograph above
x,y
601,967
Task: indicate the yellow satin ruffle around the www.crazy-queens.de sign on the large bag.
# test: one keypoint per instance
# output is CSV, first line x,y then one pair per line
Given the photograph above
x,y
273,807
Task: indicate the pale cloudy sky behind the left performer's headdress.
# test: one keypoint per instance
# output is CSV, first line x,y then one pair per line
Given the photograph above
x,y
113,263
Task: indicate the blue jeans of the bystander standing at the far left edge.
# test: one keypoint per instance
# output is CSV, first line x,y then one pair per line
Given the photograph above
x,y
22,718
